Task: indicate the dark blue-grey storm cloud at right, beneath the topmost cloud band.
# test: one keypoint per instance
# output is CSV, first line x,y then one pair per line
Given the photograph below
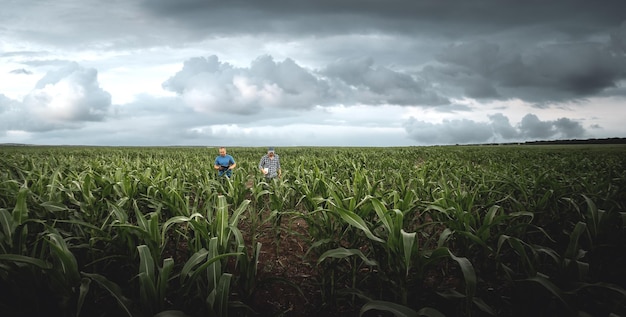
x,y
550,73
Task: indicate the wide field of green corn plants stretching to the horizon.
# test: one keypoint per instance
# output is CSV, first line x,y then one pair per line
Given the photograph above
x,y
454,231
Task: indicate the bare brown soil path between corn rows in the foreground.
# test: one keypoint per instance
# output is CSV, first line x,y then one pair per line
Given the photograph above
x,y
284,259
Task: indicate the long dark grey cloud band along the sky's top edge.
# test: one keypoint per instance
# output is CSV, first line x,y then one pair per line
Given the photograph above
x,y
397,16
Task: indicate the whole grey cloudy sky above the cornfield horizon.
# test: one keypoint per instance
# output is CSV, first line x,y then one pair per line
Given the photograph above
x,y
316,72
